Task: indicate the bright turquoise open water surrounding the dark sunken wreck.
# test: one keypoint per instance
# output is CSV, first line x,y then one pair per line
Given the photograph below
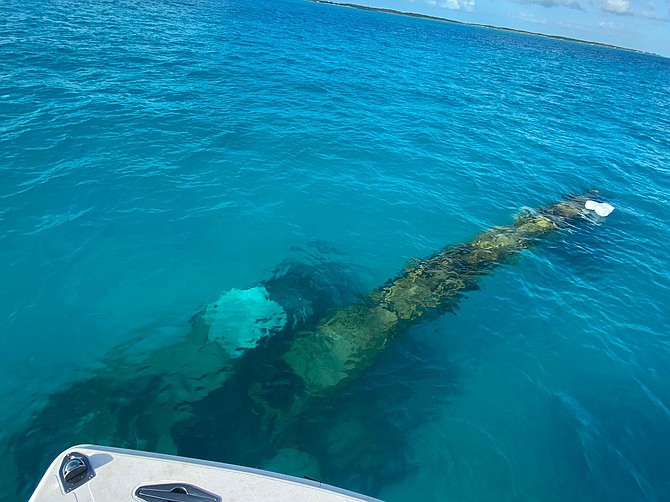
x,y
156,154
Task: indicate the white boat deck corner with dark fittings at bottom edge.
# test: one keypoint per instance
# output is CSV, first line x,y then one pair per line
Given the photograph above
x,y
96,473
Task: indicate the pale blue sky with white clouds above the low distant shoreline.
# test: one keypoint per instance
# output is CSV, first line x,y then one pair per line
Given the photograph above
x,y
636,24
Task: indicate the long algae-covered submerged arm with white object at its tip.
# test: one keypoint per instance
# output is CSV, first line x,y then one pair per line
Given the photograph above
x,y
347,341
